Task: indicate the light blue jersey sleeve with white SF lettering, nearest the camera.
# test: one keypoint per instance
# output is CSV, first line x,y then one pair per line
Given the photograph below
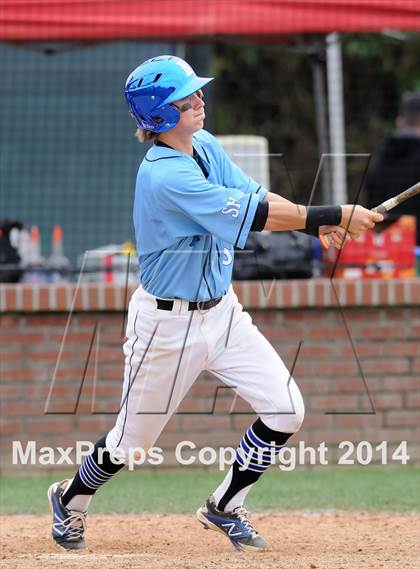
x,y
226,212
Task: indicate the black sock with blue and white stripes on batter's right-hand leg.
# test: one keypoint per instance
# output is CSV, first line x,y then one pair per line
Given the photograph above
x,y
250,452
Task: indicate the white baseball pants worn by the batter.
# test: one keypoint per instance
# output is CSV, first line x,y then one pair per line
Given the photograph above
x,y
165,352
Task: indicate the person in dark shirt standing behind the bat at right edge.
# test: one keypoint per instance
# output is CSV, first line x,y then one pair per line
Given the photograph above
x,y
396,164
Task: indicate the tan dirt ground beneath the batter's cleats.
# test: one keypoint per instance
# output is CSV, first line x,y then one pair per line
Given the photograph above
x,y
299,541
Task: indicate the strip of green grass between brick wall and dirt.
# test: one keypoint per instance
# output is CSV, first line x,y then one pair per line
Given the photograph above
x,y
371,488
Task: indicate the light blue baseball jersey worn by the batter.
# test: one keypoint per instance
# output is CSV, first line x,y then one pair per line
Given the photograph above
x,y
187,225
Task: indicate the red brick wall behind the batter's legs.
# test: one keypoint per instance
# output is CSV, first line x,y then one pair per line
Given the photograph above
x,y
345,328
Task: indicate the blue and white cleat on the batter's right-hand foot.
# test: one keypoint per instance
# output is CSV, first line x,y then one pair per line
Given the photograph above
x,y
235,525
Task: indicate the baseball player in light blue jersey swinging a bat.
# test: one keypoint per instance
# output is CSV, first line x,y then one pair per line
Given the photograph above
x,y
192,207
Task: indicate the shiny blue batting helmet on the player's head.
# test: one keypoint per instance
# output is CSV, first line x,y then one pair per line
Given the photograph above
x,y
154,85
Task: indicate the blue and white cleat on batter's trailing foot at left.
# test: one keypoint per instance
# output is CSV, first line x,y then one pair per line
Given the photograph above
x,y
68,528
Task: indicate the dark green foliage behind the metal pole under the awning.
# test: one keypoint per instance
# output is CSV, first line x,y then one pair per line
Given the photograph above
x,y
268,90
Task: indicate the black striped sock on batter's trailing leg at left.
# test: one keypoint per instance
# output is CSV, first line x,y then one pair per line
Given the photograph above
x,y
93,473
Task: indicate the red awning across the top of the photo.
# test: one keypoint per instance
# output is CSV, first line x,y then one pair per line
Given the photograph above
x,y
195,19
